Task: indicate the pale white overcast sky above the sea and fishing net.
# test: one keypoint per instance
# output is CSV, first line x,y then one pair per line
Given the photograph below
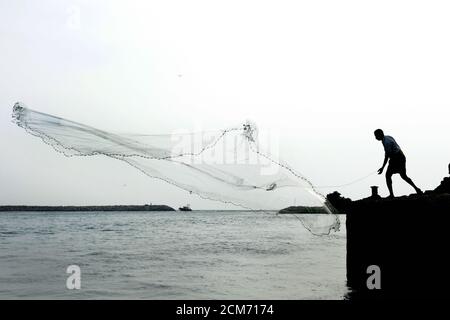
x,y
322,74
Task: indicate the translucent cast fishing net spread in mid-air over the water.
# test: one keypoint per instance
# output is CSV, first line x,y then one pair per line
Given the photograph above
x,y
227,166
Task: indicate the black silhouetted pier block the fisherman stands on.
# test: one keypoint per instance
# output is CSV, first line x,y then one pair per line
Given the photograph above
x,y
407,238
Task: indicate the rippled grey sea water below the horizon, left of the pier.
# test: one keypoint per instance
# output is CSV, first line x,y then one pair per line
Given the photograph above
x,y
168,255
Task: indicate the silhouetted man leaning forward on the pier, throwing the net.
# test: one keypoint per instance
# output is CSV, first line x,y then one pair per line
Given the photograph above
x,y
397,161
